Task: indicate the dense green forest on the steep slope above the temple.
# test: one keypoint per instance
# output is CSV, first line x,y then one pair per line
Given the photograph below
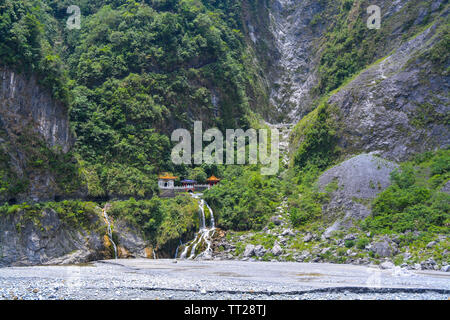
x,y
141,69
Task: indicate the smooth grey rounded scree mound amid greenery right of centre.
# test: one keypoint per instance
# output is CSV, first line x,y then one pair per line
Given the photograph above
x,y
352,185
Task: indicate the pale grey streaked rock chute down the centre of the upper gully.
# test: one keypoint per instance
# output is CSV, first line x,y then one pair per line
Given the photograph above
x,y
294,39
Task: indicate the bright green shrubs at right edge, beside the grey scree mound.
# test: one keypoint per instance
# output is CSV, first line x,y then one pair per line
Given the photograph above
x,y
414,202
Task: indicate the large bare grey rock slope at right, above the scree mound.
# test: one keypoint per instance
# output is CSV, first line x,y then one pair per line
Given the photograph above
x,y
396,108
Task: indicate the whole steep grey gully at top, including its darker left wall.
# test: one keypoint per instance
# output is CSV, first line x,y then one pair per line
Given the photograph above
x,y
285,43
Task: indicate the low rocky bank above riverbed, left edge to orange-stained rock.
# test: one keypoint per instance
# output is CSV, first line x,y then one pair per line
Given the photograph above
x,y
47,237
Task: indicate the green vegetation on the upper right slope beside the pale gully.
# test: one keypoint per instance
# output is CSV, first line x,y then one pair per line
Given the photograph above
x,y
349,46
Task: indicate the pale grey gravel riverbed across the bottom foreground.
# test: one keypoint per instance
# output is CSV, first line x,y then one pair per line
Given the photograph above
x,y
165,279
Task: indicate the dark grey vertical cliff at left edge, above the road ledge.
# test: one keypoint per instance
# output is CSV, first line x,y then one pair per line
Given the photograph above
x,y
34,136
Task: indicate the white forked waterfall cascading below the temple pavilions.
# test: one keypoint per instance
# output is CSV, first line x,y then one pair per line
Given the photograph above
x,y
204,235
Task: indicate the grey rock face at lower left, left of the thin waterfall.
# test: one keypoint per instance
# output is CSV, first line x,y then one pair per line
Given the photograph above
x,y
48,240
